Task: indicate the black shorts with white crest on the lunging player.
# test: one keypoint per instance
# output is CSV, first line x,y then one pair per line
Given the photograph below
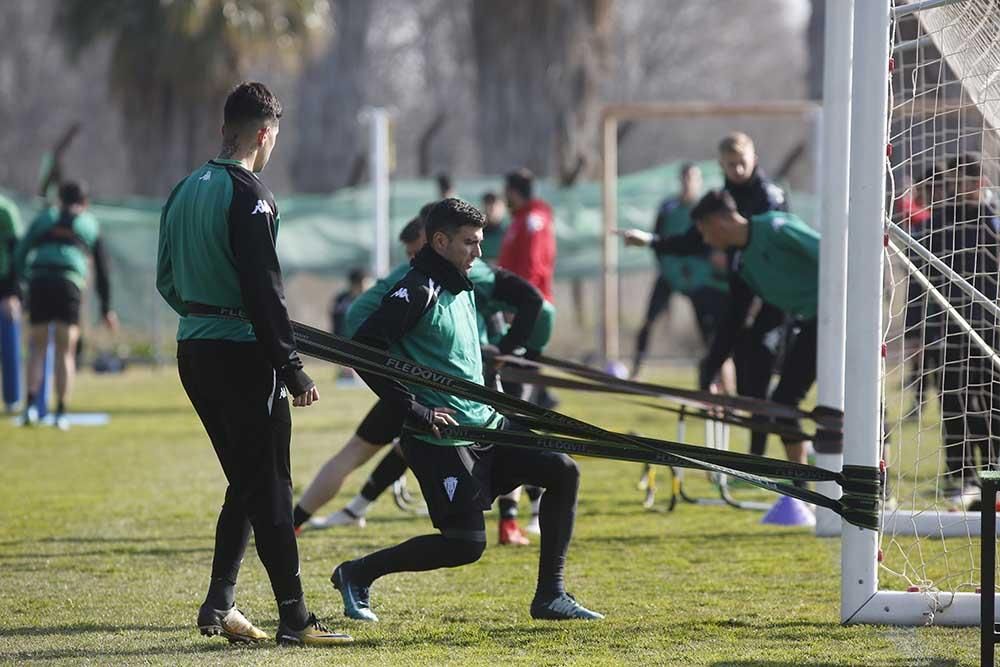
x,y
457,482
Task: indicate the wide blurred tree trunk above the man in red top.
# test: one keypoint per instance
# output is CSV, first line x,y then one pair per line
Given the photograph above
x,y
539,68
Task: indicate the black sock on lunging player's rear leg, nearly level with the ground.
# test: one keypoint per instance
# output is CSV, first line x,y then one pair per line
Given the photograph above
x,y
418,554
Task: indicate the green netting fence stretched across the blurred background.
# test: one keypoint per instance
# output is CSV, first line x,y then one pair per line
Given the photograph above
x,y
327,236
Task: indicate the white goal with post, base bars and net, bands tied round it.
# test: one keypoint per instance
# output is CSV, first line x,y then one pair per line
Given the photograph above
x,y
924,97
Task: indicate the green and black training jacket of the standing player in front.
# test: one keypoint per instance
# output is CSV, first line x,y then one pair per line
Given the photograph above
x,y
217,265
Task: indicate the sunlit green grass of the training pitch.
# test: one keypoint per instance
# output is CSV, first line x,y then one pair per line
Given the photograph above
x,y
106,543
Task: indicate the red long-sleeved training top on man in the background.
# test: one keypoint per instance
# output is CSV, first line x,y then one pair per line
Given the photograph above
x,y
529,246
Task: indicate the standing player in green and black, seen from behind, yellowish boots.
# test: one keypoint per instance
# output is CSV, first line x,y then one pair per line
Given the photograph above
x,y
218,269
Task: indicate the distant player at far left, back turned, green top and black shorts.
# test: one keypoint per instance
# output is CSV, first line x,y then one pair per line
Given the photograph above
x,y
54,255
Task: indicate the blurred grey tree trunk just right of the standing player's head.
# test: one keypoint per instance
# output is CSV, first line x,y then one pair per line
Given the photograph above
x,y
332,93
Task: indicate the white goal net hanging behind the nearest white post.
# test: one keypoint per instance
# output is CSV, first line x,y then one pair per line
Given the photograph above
x,y
941,374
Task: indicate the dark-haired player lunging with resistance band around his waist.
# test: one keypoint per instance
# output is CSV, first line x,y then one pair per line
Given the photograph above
x,y
429,317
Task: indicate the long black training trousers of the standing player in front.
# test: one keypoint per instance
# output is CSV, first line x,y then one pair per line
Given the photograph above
x,y
245,411
